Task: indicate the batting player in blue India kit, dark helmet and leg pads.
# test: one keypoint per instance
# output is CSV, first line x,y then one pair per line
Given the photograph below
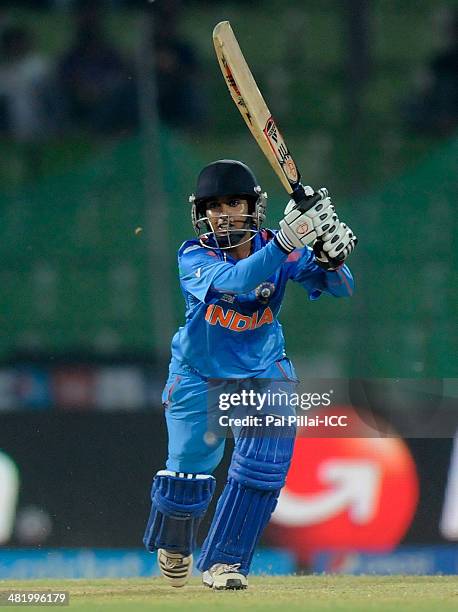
x,y
233,277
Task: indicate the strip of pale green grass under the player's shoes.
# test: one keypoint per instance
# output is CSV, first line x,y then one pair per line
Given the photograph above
x,y
284,594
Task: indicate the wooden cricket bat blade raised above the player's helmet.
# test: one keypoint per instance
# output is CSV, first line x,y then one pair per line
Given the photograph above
x,y
251,104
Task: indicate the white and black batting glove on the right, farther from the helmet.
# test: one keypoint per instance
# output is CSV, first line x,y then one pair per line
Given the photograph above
x,y
334,246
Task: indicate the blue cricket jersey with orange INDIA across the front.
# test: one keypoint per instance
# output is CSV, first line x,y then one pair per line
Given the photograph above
x,y
231,328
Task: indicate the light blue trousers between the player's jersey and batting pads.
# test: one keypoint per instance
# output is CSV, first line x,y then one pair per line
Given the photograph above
x,y
191,448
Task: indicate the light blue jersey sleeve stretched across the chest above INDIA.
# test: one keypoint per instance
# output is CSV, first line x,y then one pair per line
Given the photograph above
x,y
202,273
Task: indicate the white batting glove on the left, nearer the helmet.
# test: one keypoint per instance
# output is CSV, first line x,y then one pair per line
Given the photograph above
x,y
305,221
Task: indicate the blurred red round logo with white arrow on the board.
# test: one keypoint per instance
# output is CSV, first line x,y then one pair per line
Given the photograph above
x,y
345,494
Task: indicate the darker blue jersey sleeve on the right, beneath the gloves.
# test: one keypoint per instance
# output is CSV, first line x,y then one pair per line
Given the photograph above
x,y
303,269
